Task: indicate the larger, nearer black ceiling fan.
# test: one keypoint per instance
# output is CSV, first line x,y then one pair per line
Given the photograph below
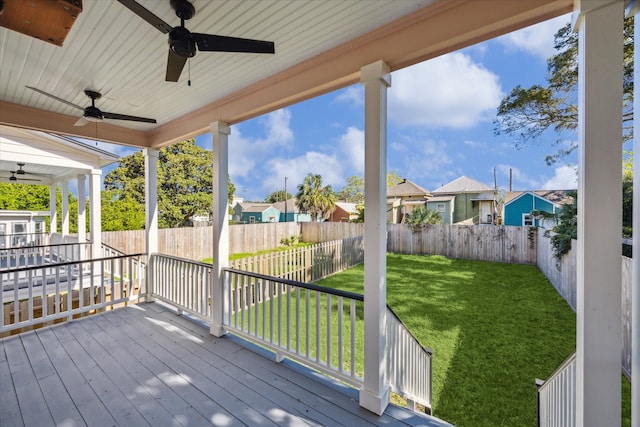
x,y
182,42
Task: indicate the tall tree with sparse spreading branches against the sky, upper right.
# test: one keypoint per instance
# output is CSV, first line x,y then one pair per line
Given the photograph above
x,y
528,113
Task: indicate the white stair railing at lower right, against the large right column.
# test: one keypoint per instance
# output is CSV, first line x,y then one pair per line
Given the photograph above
x,y
557,396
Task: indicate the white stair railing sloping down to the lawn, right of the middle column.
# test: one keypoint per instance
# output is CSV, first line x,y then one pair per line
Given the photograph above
x,y
409,369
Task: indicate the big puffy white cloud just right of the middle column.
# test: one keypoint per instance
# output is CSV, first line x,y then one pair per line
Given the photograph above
x,y
449,91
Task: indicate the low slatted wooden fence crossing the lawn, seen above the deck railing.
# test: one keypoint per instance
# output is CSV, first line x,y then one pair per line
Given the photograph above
x,y
306,264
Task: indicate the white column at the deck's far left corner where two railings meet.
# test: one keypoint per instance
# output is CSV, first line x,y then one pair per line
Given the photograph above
x,y
151,210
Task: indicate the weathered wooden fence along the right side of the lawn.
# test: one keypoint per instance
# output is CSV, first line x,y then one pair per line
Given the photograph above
x,y
563,276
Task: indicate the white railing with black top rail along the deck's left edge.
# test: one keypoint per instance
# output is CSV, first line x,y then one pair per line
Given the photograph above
x,y
40,294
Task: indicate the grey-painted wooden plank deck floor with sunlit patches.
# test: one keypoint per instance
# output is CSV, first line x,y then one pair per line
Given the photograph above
x,y
143,365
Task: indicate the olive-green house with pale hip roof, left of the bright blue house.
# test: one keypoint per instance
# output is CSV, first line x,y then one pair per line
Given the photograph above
x,y
473,201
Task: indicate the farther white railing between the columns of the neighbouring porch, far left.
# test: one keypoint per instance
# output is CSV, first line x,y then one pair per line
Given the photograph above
x,y
28,256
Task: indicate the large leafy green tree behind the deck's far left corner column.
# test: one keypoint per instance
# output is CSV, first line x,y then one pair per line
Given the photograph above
x,y
185,186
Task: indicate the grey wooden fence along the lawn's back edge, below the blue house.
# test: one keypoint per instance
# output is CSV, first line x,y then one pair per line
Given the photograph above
x,y
476,242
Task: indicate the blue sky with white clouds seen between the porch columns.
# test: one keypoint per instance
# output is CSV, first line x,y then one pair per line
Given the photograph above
x,y
440,126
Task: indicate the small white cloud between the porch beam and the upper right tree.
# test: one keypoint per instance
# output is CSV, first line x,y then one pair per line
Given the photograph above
x,y
537,39
